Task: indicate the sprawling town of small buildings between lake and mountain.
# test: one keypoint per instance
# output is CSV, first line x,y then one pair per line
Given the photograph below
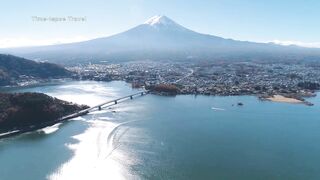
x,y
296,80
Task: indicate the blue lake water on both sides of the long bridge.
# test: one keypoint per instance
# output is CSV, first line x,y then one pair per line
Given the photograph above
x,y
156,137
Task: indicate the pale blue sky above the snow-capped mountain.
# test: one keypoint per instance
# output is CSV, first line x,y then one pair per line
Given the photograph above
x,y
287,21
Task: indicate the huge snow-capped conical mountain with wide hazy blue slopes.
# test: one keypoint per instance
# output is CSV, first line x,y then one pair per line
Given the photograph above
x,y
160,38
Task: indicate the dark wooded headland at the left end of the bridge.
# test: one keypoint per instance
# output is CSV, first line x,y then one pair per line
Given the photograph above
x,y
22,112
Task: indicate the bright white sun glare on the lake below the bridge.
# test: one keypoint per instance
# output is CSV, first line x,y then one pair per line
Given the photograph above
x,y
90,156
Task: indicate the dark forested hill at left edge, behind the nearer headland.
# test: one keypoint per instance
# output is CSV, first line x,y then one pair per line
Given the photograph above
x,y
13,69
